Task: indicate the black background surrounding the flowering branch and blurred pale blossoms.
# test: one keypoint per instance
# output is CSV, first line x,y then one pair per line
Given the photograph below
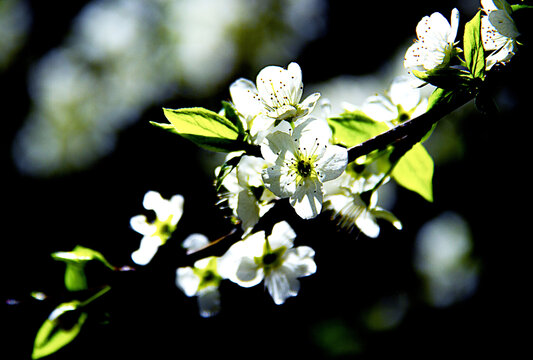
x,y
145,315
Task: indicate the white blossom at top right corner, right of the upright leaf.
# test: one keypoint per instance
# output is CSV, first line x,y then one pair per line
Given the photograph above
x,y
498,32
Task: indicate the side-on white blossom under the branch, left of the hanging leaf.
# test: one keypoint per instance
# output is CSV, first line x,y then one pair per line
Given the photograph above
x,y
344,197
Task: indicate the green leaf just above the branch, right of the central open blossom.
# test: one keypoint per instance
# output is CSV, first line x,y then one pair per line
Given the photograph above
x,y
353,128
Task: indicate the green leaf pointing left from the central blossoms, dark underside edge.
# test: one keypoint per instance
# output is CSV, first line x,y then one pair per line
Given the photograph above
x,y
206,129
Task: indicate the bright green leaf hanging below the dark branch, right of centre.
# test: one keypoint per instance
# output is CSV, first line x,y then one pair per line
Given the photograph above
x,y
414,171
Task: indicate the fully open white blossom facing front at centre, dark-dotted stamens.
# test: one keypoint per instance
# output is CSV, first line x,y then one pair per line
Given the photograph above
x,y
302,160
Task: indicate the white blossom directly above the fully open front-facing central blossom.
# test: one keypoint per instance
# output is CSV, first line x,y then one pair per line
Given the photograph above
x,y
276,97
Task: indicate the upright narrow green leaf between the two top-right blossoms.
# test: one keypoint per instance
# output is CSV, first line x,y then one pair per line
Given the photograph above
x,y
473,47
